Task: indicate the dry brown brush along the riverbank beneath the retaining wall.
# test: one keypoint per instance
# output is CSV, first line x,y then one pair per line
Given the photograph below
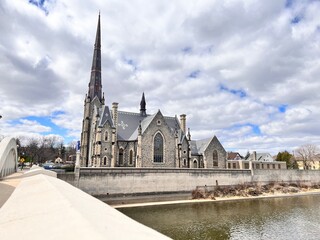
x,y
250,190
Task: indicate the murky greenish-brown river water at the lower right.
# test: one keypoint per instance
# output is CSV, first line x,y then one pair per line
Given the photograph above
x,y
272,218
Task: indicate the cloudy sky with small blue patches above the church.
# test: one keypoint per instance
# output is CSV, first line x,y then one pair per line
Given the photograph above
x,y
246,71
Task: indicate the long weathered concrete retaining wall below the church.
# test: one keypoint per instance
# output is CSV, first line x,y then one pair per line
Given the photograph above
x,y
145,181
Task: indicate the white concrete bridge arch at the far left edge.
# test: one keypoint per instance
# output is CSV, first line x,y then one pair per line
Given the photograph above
x,y
8,156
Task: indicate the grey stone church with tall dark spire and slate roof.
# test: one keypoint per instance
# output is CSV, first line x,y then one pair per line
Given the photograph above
x,y
114,138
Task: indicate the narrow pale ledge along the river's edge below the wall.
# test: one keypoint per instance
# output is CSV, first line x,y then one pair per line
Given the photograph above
x,y
276,194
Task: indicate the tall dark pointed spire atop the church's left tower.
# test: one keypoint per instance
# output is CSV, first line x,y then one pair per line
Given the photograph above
x,y
95,86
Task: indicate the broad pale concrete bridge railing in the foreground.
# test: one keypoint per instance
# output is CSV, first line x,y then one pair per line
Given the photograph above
x,y
44,207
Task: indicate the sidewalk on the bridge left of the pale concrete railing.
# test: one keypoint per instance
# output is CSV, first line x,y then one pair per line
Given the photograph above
x,y
9,184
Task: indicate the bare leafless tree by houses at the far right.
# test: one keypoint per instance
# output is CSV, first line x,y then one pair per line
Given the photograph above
x,y
308,154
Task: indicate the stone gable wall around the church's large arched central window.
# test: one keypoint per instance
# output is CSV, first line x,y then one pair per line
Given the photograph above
x,y
158,124
